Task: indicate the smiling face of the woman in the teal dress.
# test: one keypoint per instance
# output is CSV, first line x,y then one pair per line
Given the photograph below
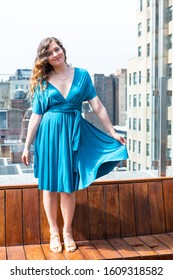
x,y
55,54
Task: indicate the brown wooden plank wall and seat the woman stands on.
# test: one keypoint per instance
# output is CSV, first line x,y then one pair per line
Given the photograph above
x,y
114,219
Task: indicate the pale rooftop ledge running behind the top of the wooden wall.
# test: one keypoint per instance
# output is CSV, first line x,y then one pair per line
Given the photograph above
x,y
113,177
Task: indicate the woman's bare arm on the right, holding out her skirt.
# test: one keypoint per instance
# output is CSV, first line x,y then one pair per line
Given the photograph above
x,y
102,114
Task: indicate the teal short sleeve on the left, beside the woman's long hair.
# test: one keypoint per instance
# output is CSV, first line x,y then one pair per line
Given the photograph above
x,y
40,102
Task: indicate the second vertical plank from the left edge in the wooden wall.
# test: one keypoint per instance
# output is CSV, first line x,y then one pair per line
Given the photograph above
x,y
14,231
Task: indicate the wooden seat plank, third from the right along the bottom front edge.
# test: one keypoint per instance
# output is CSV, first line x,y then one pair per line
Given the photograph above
x,y
124,249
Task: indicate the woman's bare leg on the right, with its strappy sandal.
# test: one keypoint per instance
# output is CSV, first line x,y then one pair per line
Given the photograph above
x,y
68,203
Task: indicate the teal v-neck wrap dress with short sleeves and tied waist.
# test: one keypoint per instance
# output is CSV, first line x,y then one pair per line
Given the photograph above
x,y
70,153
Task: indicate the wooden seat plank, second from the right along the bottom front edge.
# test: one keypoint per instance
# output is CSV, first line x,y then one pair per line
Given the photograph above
x,y
143,250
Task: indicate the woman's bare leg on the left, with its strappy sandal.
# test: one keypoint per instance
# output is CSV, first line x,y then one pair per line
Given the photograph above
x,y
51,205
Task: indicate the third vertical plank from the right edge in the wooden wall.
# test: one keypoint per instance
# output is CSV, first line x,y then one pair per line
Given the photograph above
x,y
142,214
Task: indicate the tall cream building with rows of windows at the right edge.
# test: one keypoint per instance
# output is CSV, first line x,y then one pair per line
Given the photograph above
x,y
149,88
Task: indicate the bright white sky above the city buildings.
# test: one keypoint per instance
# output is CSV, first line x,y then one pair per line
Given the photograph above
x,y
98,35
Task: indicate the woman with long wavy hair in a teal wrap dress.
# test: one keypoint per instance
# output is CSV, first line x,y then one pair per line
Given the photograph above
x,y
70,153
